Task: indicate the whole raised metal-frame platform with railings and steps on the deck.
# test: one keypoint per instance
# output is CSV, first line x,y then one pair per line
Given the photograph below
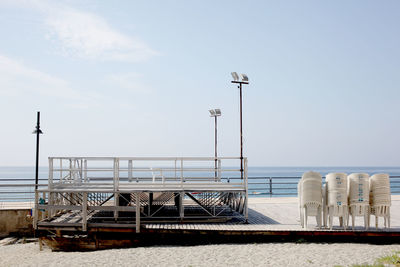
x,y
86,192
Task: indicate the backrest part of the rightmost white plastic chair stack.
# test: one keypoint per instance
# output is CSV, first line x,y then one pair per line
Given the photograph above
x,y
380,189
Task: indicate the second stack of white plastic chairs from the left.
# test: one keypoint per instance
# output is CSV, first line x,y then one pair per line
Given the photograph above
x,y
336,198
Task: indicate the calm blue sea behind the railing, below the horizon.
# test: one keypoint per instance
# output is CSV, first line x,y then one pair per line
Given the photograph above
x,y
259,182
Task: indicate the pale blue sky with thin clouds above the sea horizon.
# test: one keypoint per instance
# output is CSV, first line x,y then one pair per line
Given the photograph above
x,y
137,78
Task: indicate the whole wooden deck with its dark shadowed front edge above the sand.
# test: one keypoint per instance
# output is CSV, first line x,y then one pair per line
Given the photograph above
x,y
270,220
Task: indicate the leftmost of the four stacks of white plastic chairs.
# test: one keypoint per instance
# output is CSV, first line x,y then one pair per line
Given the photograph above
x,y
310,197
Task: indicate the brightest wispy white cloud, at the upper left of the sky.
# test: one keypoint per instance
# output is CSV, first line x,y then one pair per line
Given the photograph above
x,y
87,35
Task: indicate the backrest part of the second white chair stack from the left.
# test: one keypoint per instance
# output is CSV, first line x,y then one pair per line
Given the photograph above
x,y
336,187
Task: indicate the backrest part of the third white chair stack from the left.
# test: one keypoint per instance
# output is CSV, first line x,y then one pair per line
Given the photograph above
x,y
358,188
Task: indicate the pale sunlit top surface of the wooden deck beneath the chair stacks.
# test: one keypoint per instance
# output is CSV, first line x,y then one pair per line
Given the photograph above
x,y
281,214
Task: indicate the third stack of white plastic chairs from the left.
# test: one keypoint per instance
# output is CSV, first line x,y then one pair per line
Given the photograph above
x,y
358,195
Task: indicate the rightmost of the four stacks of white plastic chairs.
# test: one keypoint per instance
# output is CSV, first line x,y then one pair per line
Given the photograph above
x,y
380,199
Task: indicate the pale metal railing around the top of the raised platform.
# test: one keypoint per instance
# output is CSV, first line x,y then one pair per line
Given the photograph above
x,y
79,171
